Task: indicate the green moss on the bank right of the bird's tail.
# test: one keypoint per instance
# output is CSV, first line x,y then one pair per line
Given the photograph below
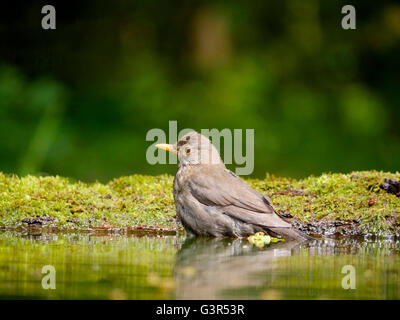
x,y
354,197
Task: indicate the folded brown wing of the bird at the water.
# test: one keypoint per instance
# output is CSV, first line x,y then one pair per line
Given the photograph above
x,y
221,188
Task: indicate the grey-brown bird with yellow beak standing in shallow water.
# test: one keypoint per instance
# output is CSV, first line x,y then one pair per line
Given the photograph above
x,y
212,201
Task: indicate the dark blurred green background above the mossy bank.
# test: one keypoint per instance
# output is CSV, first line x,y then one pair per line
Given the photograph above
x,y
78,101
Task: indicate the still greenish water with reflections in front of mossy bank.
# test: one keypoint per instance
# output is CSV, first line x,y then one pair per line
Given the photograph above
x,y
170,267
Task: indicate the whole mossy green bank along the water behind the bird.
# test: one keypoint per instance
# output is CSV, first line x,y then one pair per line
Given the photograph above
x,y
329,205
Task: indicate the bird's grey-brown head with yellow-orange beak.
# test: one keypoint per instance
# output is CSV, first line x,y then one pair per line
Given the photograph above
x,y
193,148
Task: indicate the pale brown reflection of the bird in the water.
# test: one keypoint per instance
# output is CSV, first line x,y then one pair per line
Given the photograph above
x,y
207,268
